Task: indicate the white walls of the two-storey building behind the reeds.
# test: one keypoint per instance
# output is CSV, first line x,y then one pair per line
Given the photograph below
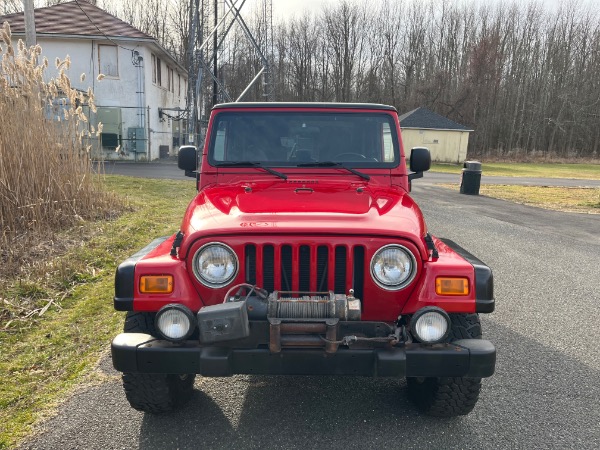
x,y
121,89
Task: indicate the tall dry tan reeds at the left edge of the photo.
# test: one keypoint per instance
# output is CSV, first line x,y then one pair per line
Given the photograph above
x,y
46,178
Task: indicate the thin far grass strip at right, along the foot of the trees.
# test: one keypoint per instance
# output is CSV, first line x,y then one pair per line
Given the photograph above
x,y
534,170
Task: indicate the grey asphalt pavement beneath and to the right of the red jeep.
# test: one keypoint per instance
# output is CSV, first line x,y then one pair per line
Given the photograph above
x,y
545,393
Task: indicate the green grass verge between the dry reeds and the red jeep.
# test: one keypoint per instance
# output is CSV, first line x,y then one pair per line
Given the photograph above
x,y
43,358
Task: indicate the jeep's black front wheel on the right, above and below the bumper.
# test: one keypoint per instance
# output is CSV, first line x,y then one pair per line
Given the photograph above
x,y
449,397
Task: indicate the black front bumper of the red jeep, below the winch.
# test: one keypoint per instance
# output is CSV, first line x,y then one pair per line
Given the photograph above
x,y
137,352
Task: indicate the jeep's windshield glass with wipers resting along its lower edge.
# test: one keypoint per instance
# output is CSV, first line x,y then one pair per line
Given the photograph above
x,y
304,139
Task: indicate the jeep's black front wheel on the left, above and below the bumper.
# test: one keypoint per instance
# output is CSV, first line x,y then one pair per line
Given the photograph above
x,y
153,392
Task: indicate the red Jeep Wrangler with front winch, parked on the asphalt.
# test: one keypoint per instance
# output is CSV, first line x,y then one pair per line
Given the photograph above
x,y
304,254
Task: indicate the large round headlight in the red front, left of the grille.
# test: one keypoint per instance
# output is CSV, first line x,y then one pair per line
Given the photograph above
x,y
215,265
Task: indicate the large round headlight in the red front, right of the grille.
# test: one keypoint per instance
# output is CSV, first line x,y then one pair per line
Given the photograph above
x,y
393,267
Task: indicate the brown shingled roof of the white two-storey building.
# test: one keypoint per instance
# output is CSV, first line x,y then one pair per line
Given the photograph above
x,y
78,18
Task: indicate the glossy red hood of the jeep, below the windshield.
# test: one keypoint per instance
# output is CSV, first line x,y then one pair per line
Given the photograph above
x,y
290,207
